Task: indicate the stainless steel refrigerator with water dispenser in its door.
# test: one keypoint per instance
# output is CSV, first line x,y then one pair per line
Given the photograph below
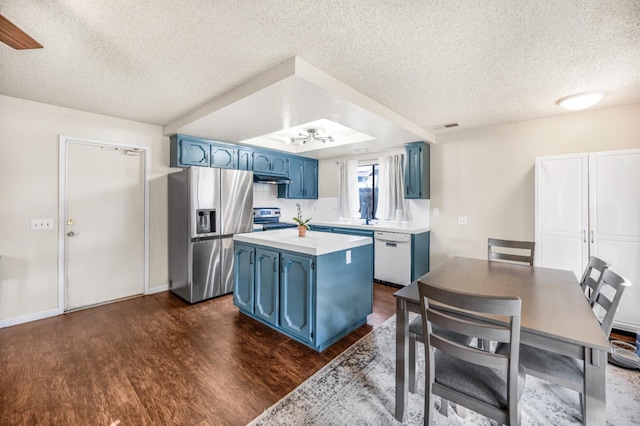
x,y
206,207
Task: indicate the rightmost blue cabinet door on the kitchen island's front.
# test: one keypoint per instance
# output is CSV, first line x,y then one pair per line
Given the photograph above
x,y
296,297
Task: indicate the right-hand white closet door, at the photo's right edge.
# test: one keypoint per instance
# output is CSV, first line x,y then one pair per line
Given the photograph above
x,y
614,208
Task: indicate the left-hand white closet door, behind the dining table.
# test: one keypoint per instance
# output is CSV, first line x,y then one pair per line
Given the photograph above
x,y
561,212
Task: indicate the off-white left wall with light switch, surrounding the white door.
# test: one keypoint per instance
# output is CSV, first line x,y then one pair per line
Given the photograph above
x,y
29,189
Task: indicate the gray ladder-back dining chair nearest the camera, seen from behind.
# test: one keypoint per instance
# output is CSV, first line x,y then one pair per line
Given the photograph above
x,y
488,383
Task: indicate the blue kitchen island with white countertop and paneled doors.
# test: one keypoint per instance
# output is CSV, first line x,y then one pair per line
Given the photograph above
x,y
314,289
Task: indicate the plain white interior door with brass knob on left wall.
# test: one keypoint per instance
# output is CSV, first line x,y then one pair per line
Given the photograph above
x,y
104,224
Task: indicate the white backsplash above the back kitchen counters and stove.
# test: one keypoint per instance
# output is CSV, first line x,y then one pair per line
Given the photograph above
x,y
325,208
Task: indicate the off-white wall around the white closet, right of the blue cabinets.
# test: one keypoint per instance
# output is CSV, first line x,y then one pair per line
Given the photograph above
x,y
488,174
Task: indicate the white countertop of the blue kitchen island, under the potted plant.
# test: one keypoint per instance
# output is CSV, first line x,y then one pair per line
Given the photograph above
x,y
315,243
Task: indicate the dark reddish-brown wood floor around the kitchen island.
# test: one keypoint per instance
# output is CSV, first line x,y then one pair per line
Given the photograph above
x,y
156,360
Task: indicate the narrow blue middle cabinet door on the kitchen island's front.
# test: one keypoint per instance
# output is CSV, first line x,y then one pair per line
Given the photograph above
x,y
267,283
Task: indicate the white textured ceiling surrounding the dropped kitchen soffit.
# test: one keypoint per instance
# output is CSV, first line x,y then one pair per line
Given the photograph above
x,y
476,63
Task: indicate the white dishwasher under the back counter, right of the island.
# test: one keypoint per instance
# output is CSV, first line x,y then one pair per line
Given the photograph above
x,y
392,257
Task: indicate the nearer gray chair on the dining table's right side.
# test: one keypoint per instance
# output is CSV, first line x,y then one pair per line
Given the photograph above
x,y
564,370
